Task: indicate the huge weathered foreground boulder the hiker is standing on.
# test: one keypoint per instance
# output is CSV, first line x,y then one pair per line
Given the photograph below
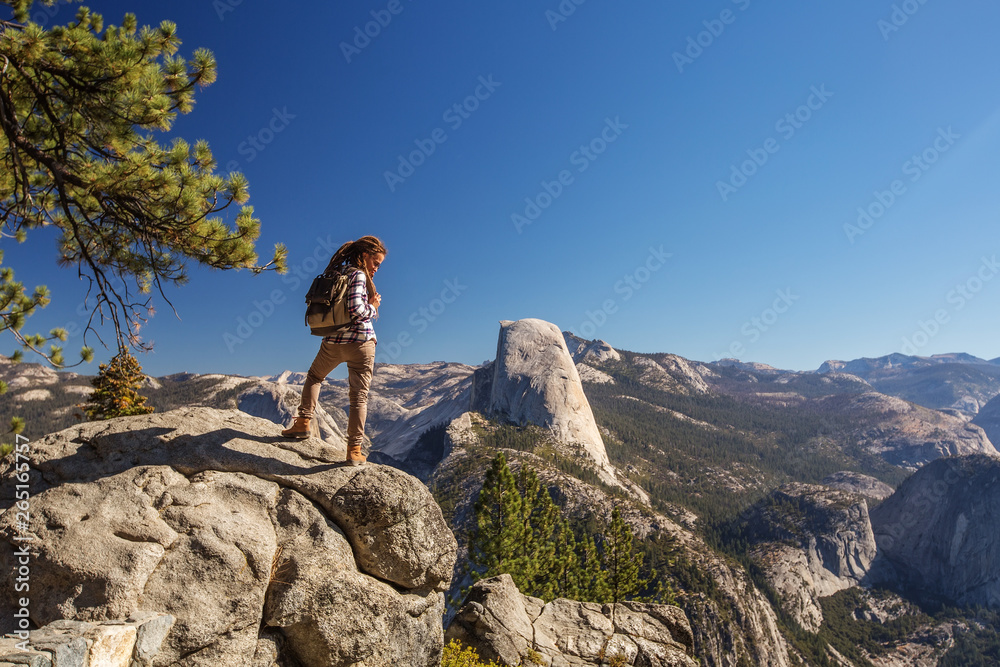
x,y
256,545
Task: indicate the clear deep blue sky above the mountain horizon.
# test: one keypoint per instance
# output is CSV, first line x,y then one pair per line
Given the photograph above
x,y
668,177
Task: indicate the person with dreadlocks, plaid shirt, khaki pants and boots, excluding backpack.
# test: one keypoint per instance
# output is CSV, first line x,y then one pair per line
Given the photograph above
x,y
354,345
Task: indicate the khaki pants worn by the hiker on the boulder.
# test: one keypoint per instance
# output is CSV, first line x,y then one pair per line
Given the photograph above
x,y
360,359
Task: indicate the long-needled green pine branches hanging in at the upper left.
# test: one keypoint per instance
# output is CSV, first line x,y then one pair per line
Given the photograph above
x,y
78,107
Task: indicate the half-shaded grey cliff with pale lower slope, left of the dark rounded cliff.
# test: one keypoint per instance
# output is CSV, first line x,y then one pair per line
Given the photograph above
x,y
814,541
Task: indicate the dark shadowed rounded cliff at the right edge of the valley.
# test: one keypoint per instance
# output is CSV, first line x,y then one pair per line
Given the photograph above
x,y
938,535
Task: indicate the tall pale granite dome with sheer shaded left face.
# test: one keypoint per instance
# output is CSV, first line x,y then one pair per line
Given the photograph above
x,y
534,381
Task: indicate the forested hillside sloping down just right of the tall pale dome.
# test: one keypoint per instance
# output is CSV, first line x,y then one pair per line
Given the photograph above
x,y
716,453
